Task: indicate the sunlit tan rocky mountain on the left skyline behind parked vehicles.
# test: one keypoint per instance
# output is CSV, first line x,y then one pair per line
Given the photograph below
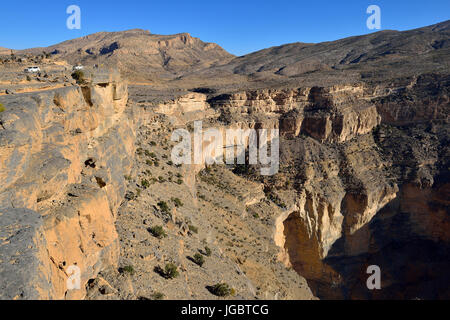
x,y
138,54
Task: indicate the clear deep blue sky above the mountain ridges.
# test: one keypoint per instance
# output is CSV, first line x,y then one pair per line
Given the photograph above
x,y
238,26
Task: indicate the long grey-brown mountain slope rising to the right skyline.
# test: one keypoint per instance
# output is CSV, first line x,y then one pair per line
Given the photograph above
x,y
375,57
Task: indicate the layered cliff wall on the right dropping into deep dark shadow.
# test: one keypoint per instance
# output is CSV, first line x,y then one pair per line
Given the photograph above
x,y
355,161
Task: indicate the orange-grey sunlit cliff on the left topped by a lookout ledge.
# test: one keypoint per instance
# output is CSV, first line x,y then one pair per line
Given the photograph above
x,y
63,156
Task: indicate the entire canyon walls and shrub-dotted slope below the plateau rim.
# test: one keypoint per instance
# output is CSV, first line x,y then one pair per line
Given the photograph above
x,y
362,181
